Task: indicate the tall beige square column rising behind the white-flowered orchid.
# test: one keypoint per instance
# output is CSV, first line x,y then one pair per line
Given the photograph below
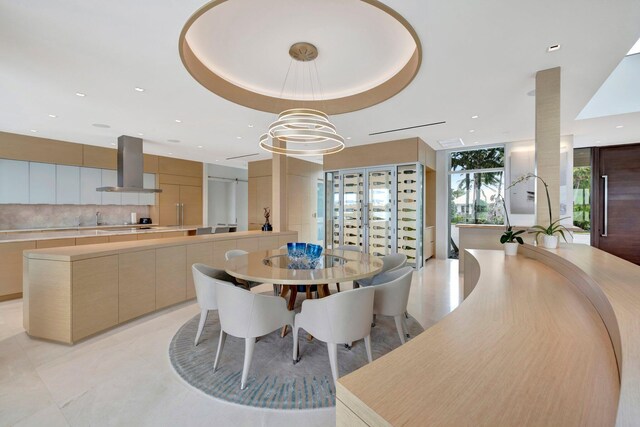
x,y
548,143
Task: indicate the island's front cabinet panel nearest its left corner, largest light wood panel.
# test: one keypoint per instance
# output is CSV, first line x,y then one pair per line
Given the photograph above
x,y
95,295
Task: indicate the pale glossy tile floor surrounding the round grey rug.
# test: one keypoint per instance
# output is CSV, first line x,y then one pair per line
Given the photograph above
x,y
123,377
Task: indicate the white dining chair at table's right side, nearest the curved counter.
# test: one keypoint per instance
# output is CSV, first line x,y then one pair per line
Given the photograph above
x,y
391,297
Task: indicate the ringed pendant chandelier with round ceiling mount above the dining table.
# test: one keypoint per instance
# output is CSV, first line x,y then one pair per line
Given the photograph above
x,y
302,131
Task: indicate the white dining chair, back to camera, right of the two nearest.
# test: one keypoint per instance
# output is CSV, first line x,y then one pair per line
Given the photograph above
x,y
337,319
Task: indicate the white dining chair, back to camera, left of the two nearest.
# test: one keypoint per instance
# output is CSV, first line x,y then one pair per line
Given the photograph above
x,y
247,315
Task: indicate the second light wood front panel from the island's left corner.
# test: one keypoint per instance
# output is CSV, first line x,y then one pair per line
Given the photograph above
x,y
136,284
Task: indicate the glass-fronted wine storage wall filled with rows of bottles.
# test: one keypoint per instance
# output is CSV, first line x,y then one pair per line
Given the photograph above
x,y
378,210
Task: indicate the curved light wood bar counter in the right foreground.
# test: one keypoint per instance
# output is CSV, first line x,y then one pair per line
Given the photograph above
x,y
548,337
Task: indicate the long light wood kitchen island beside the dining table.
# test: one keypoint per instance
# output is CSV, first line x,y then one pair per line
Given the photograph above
x,y
73,292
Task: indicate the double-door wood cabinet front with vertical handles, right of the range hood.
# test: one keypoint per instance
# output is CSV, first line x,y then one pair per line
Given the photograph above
x,y
180,205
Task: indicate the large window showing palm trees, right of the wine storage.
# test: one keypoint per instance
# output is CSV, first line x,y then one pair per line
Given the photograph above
x,y
476,179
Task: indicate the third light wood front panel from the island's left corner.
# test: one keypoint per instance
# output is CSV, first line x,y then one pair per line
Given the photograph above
x,y
171,283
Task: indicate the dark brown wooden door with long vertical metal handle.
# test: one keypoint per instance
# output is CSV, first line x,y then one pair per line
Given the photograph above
x,y
617,201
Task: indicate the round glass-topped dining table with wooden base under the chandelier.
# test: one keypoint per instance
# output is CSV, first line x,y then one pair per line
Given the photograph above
x,y
275,266
